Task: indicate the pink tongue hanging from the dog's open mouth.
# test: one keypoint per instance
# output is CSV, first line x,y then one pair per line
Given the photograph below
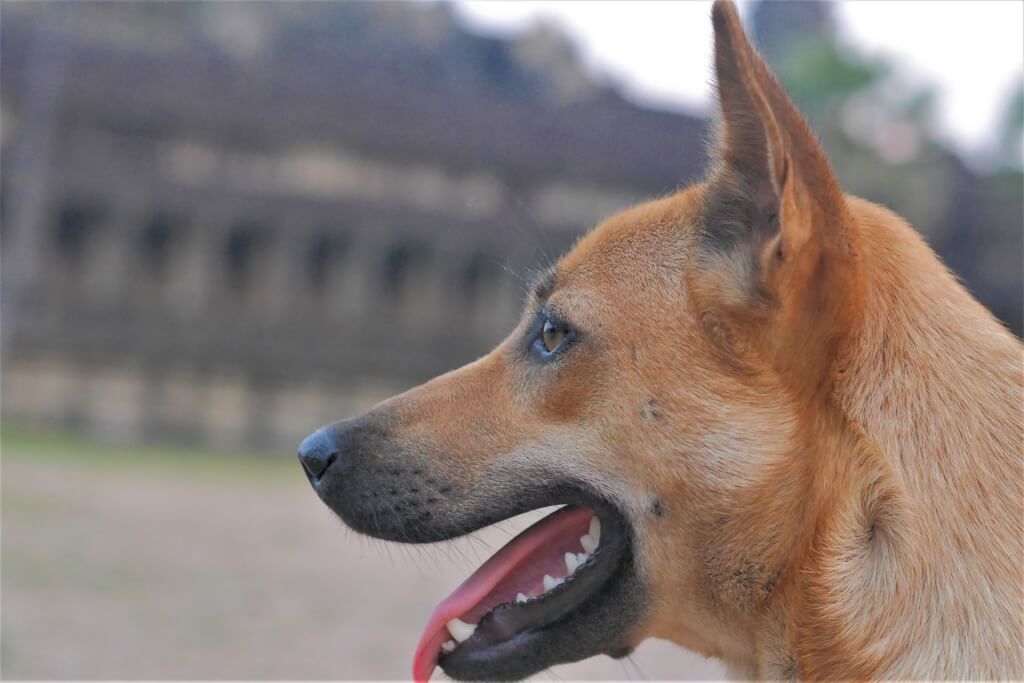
x,y
546,533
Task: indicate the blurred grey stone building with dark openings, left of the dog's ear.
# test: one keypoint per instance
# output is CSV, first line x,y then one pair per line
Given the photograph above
x,y
231,224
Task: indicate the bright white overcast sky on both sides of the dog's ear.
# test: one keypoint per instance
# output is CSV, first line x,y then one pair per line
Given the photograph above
x,y
971,51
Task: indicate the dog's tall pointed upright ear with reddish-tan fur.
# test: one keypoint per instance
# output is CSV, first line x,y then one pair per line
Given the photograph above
x,y
776,241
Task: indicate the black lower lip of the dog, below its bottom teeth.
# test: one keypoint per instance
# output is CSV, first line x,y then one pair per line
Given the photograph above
x,y
511,639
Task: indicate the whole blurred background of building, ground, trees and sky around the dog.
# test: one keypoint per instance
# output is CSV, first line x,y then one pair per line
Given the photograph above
x,y
225,225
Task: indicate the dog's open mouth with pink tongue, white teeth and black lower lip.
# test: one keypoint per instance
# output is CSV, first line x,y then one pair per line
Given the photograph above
x,y
530,593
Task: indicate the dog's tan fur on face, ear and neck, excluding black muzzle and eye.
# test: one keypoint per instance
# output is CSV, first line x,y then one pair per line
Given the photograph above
x,y
829,424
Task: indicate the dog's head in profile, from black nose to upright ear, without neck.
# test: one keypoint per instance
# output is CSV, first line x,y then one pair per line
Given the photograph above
x,y
658,386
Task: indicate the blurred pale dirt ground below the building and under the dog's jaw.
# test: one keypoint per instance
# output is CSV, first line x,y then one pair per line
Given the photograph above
x,y
154,564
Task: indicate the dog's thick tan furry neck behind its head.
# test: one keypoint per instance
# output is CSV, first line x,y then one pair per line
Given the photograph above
x,y
913,478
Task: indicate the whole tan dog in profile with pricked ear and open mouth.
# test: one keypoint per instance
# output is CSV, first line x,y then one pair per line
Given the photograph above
x,y
783,434
